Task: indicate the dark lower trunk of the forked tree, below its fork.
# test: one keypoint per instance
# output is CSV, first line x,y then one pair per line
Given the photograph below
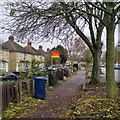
x,y
95,78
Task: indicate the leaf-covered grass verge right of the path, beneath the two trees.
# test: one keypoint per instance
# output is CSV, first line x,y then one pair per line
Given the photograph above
x,y
91,103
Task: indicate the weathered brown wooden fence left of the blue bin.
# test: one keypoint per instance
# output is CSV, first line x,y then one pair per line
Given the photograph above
x,y
12,92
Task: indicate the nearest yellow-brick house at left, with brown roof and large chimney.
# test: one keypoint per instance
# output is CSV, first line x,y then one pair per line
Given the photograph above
x,y
16,55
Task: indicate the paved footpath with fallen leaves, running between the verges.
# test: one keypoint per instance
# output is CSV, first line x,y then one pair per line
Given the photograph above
x,y
58,98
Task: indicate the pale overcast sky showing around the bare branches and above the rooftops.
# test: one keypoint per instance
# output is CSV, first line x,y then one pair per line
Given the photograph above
x,y
4,37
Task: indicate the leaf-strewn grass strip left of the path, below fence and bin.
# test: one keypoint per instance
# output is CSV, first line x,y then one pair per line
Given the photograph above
x,y
19,110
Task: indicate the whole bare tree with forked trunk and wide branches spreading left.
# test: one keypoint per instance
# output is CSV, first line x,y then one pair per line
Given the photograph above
x,y
60,20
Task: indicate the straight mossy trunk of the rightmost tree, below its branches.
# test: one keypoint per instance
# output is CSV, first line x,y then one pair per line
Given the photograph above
x,y
110,77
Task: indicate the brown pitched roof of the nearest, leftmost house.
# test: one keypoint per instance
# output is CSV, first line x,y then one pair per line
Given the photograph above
x,y
13,46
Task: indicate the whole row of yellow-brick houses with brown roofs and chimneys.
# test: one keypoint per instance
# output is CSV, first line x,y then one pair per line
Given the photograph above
x,y
14,57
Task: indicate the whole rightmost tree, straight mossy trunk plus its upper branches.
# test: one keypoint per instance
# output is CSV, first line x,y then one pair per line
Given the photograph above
x,y
111,10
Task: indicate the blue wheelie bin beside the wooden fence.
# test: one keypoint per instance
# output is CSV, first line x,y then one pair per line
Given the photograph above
x,y
40,87
